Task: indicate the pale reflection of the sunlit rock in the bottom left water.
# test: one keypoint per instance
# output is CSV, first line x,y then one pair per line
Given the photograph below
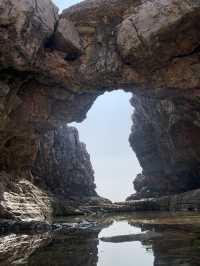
x,y
16,249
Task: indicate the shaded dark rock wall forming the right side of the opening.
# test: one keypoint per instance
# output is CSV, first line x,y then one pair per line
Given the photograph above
x,y
165,137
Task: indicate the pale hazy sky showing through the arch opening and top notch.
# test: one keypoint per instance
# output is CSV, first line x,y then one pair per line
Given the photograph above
x,y
105,132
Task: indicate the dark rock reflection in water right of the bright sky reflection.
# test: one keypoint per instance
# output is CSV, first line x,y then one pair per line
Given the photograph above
x,y
179,245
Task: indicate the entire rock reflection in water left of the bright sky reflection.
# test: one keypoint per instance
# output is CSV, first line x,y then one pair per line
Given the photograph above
x,y
45,250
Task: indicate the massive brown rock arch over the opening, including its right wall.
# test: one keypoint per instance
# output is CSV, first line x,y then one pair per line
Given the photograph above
x,y
53,68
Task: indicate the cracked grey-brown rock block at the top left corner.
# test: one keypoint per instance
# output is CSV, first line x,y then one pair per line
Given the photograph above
x,y
25,26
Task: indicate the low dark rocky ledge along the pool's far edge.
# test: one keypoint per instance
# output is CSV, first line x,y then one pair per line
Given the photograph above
x,y
185,202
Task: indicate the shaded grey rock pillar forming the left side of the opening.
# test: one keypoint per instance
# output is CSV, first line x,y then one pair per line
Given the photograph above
x,y
63,165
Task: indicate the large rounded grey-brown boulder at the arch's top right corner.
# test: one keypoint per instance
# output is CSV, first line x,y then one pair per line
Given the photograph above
x,y
158,31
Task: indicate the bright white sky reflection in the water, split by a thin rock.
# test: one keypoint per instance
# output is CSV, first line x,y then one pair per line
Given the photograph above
x,y
121,254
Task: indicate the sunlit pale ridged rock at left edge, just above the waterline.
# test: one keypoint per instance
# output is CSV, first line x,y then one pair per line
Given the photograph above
x,y
20,199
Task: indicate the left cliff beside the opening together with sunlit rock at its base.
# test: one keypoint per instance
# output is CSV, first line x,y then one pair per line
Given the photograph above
x,y
61,172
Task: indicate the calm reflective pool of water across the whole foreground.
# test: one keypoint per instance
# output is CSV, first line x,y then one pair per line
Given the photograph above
x,y
178,244
